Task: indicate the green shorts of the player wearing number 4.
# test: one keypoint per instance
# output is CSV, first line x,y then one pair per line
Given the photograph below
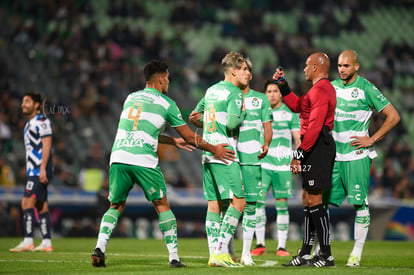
x,y
122,178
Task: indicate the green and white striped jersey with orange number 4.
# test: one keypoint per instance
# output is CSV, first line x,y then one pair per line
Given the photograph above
x,y
144,117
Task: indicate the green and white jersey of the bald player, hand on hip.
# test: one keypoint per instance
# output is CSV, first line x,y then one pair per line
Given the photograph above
x,y
353,112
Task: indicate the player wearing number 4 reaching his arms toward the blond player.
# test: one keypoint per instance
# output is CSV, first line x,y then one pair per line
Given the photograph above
x,y
134,160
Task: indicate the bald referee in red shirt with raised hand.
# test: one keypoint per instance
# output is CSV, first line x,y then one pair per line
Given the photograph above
x,y
315,156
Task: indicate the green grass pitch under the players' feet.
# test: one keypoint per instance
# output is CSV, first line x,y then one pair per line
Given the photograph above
x,y
133,256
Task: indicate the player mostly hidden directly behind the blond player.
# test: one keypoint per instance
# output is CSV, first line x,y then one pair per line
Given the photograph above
x,y
258,121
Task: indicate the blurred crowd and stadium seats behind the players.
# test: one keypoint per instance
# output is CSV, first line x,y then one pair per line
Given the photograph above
x,y
85,57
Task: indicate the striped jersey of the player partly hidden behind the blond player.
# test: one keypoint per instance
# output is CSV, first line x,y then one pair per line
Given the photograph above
x,y
258,111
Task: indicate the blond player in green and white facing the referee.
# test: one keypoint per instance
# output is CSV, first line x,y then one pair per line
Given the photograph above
x,y
223,112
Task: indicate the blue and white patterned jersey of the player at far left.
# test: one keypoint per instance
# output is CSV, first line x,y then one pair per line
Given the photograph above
x,y
35,129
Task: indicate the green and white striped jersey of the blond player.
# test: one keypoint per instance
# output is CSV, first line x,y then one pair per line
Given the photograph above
x,y
221,100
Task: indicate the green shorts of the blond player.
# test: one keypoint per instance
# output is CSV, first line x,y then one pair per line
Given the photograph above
x,y
222,182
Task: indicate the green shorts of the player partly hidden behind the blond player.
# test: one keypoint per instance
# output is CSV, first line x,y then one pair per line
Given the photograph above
x,y
252,177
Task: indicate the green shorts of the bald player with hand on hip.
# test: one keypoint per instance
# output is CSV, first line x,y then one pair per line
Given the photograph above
x,y
350,179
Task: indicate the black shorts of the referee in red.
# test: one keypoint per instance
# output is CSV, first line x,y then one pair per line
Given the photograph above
x,y
317,167
